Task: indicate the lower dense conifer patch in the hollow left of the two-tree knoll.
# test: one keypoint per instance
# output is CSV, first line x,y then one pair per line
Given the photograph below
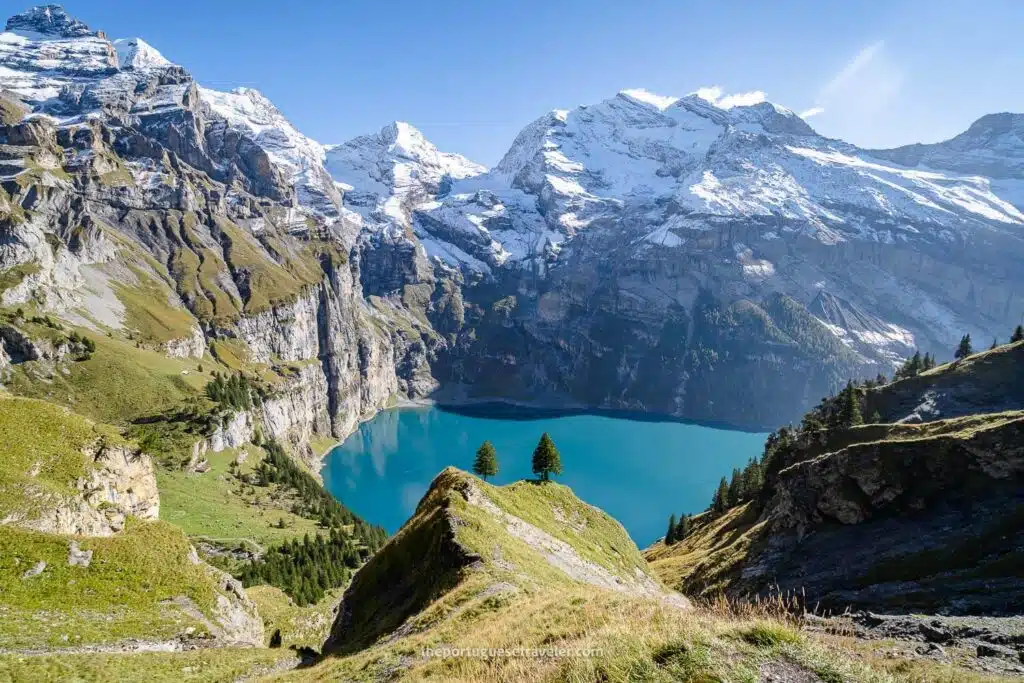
x,y
307,570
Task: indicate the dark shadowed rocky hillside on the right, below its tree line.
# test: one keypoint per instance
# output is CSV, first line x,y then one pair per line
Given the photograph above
x,y
920,511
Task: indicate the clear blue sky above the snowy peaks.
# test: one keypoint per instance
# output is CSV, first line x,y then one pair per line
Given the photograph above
x,y
471,74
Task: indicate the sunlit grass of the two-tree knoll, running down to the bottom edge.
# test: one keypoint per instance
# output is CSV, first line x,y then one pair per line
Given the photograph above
x,y
515,600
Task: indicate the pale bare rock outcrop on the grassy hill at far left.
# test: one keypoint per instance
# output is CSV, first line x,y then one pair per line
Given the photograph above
x,y
123,484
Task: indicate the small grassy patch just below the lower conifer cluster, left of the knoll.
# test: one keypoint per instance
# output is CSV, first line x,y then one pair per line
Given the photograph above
x,y
300,627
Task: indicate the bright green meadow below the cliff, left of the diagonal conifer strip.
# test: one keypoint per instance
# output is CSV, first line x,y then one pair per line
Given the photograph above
x,y
218,506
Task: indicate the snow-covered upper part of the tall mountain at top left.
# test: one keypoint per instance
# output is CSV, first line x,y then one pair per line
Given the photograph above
x,y
60,67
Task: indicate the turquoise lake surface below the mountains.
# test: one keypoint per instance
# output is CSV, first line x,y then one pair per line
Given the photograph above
x,y
638,471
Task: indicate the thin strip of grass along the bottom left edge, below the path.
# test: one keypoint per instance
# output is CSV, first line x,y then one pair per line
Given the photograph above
x,y
194,666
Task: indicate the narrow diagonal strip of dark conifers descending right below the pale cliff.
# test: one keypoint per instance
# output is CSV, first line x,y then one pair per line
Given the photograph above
x,y
313,500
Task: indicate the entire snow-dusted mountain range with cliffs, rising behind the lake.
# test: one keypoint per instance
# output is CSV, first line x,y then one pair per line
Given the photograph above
x,y
651,253
